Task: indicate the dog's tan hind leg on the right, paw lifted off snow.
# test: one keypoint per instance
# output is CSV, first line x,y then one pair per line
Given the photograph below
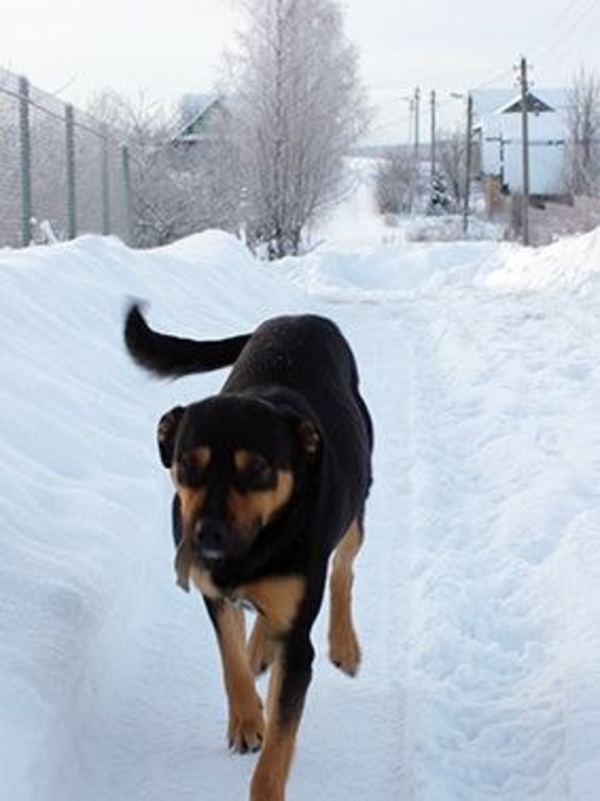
x,y
344,650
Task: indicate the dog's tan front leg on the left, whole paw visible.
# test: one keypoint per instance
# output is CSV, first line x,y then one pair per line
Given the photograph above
x,y
246,722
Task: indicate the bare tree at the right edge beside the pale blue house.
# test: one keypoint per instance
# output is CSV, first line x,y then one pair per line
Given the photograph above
x,y
583,121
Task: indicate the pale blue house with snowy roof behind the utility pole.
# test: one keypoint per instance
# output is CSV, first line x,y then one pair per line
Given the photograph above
x,y
500,136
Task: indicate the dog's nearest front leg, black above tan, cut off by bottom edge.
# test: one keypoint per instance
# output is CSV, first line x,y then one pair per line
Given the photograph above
x,y
290,678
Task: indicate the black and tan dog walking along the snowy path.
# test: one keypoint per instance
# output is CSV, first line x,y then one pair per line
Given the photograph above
x,y
271,477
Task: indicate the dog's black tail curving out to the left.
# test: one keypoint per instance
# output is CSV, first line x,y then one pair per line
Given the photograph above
x,y
170,356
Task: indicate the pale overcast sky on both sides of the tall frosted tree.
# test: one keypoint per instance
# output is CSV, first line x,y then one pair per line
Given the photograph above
x,y
165,49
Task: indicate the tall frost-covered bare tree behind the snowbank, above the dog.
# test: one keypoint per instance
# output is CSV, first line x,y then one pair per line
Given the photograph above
x,y
297,107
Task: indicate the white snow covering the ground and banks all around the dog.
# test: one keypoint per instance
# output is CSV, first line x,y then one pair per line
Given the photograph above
x,y
478,589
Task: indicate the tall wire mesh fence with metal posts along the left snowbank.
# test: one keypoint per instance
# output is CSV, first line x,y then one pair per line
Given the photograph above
x,y
62,173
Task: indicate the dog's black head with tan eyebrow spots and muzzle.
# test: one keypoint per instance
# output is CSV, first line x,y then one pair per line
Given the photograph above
x,y
234,462
